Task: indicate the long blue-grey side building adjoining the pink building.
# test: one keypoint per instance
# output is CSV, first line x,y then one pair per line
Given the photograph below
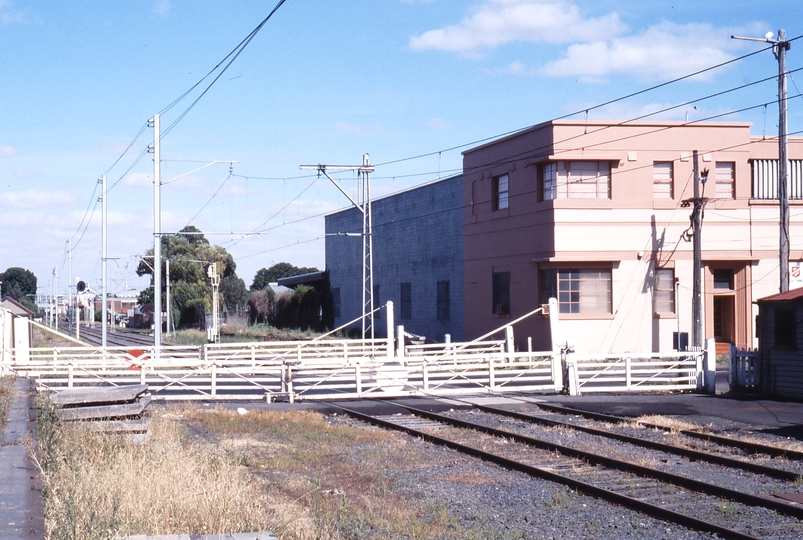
x,y
417,260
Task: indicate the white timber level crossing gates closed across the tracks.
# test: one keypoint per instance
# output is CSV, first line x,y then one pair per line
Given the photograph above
x,y
324,369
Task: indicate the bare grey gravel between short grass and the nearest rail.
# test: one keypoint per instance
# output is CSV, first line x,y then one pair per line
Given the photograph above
x,y
509,505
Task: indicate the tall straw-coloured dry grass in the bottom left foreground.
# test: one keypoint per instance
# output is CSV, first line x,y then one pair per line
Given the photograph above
x,y
99,487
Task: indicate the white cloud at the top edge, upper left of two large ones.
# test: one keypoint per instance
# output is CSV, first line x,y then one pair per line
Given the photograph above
x,y
497,22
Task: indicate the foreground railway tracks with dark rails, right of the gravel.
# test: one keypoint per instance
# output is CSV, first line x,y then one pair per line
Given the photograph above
x,y
730,496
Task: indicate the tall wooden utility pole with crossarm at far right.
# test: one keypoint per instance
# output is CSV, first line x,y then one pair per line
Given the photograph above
x,y
779,48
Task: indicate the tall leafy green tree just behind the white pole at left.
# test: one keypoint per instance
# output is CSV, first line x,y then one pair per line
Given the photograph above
x,y
190,256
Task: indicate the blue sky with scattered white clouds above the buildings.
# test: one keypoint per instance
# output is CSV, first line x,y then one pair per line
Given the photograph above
x,y
413,83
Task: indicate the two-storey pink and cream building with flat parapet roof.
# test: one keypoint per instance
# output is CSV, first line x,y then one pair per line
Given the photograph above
x,y
592,213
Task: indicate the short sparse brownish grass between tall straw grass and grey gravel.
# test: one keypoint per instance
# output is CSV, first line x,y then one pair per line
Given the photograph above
x,y
347,477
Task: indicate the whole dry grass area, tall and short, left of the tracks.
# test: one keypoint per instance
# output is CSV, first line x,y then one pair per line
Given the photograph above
x,y
212,471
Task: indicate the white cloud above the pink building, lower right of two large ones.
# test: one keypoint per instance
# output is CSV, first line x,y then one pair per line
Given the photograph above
x,y
664,51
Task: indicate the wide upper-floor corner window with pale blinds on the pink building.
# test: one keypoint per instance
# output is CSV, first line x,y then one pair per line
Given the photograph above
x,y
577,180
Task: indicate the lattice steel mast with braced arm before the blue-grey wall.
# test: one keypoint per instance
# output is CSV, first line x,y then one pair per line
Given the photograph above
x,y
364,206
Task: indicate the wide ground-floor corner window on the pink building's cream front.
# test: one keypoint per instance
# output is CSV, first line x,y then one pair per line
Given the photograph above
x,y
583,291
